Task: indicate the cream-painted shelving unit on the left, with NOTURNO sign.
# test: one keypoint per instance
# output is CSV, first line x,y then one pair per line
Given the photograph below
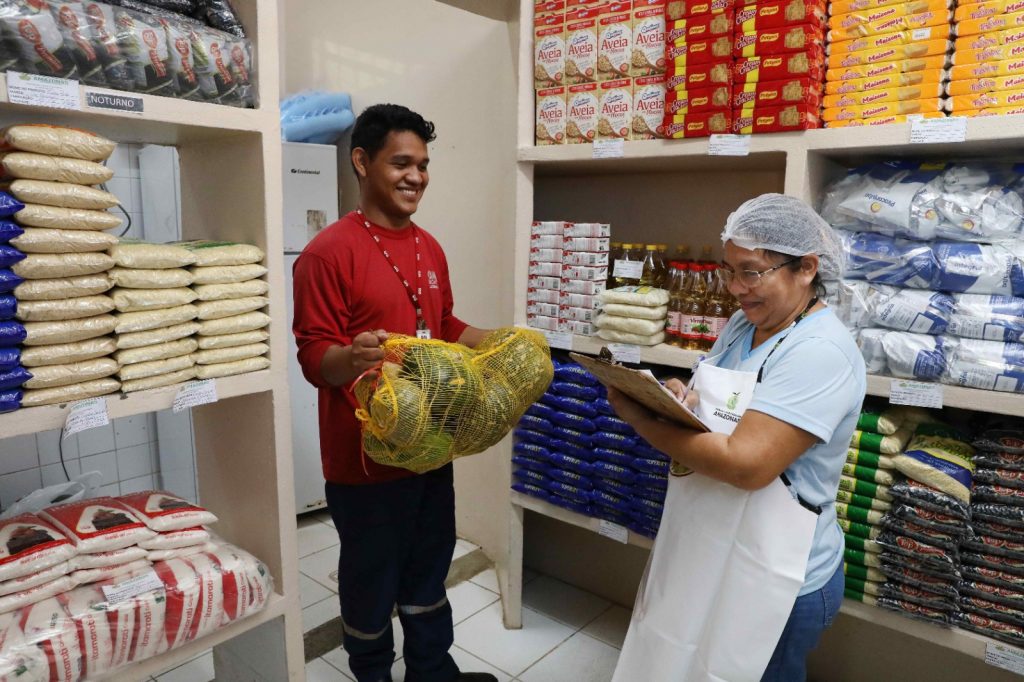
x,y
231,190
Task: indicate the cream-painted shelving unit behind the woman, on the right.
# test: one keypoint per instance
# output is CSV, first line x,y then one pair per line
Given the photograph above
x,y
673,191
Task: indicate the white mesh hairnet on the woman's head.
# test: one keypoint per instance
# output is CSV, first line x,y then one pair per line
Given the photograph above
x,y
786,225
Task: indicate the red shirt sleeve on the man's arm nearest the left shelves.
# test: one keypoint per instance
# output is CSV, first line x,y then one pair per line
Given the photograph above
x,y
321,314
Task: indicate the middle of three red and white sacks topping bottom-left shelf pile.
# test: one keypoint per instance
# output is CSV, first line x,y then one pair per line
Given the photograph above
x,y
100,525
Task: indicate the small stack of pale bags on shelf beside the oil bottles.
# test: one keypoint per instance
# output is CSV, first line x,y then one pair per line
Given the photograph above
x,y
633,315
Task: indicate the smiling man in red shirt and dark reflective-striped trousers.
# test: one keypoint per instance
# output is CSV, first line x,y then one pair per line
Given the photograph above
x,y
372,273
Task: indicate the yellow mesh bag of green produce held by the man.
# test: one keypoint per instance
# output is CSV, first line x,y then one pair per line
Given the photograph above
x,y
434,402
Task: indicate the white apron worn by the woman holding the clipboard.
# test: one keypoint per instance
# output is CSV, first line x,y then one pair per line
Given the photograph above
x,y
726,570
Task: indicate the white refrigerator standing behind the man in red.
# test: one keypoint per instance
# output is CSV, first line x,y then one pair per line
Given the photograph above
x,y
312,198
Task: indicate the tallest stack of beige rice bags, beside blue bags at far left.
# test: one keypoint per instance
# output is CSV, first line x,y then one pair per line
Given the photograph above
x,y
63,302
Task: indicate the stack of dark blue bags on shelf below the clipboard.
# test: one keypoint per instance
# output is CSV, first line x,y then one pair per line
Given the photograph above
x,y
573,451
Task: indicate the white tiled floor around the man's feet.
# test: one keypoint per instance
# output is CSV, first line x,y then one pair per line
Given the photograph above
x,y
568,634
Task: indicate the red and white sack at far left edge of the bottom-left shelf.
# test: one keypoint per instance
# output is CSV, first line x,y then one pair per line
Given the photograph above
x,y
29,544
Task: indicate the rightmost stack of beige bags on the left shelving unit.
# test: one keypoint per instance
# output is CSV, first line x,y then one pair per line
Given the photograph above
x,y
231,299
